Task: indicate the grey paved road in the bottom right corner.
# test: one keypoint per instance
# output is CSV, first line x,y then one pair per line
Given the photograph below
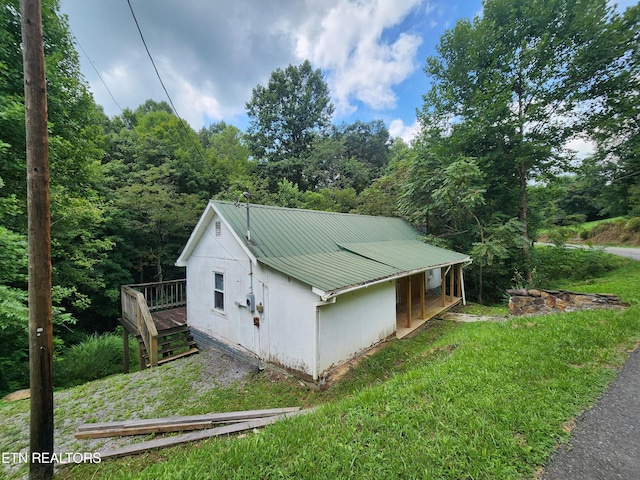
x,y
605,444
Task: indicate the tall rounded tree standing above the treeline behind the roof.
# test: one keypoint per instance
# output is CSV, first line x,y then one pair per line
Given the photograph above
x,y
284,118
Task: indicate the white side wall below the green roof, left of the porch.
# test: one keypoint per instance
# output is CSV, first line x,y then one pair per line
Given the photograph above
x,y
357,320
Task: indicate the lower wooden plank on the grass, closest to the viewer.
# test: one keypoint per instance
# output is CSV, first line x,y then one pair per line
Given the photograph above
x,y
191,437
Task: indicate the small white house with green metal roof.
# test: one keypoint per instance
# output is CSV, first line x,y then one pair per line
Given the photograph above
x,y
308,290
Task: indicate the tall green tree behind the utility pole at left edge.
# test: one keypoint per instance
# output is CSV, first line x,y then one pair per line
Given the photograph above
x,y
75,133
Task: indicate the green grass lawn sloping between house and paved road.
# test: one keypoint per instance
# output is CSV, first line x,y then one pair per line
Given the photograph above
x,y
468,400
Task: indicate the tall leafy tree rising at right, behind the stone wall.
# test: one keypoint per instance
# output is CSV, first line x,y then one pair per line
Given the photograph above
x,y
508,89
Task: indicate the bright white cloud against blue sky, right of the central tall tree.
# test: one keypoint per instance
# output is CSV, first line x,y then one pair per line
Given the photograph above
x,y
347,41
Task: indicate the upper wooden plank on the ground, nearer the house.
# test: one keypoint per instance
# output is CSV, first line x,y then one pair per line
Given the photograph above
x,y
210,417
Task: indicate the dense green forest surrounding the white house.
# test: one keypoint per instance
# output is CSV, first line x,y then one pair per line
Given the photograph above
x,y
489,168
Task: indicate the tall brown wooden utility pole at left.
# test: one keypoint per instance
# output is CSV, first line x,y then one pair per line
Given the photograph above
x,y
39,236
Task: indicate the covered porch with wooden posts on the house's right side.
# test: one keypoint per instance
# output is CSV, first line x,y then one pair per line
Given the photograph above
x,y
415,306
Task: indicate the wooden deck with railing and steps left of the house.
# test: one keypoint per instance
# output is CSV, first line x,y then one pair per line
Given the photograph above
x,y
156,314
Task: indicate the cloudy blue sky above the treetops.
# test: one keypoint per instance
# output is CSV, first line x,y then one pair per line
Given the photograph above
x,y
211,54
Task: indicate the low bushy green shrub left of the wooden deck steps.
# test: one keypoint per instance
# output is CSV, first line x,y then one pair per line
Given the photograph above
x,y
95,357
